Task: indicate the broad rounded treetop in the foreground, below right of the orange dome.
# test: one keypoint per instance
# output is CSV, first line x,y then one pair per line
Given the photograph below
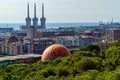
x,y
87,63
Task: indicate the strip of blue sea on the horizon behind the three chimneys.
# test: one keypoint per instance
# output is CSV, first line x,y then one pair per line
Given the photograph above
x,y
16,26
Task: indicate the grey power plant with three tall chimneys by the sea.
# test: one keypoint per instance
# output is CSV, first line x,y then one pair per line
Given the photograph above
x,y
35,19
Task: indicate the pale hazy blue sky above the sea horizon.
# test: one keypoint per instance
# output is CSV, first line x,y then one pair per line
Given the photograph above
x,y
14,11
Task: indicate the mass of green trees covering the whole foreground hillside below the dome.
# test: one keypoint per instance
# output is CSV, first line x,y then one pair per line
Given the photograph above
x,y
86,63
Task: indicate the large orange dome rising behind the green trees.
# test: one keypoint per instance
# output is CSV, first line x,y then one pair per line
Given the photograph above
x,y
55,51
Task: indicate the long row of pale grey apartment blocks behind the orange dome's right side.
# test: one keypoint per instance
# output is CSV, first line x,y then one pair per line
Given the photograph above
x,y
77,41
